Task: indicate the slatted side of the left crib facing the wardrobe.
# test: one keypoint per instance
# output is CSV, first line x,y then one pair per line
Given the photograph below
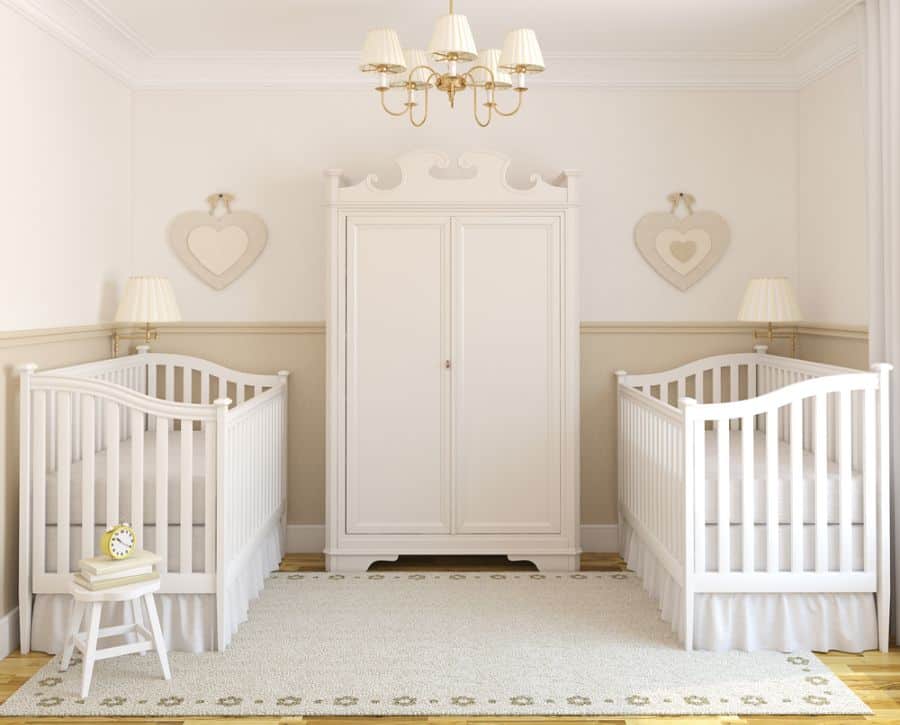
x,y
252,486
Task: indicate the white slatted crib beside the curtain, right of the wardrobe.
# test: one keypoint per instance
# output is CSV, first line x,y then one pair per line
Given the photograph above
x,y
813,441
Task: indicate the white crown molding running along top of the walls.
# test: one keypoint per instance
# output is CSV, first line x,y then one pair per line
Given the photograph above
x,y
90,29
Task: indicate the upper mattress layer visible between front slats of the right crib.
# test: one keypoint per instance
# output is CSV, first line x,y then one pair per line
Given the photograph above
x,y
784,476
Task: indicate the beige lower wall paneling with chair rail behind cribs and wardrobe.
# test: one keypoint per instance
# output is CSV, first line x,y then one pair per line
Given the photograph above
x,y
300,348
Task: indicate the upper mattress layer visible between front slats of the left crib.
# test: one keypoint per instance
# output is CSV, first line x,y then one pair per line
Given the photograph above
x,y
198,483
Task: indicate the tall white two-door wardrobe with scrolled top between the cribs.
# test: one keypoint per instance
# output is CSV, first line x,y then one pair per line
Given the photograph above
x,y
453,365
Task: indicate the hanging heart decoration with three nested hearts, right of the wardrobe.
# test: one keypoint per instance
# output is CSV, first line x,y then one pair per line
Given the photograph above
x,y
682,250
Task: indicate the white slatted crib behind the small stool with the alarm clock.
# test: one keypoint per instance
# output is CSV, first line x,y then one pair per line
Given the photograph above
x,y
192,454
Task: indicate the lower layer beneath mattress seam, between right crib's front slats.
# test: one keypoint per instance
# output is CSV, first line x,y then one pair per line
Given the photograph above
x,y
784,547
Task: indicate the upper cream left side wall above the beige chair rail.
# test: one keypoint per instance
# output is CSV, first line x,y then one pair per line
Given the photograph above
x,y
65,147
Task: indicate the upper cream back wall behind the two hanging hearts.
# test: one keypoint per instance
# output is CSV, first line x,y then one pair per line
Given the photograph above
x,y
736,152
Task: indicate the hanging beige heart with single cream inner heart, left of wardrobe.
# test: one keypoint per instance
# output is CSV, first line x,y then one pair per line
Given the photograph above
x,y
218,249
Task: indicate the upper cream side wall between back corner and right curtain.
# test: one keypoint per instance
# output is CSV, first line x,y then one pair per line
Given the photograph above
x,y
831,183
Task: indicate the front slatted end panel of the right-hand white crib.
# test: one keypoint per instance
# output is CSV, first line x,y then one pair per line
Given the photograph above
x,y
789,564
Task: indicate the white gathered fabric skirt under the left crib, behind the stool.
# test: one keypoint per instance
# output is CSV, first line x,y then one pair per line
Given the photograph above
x,y
188,620
